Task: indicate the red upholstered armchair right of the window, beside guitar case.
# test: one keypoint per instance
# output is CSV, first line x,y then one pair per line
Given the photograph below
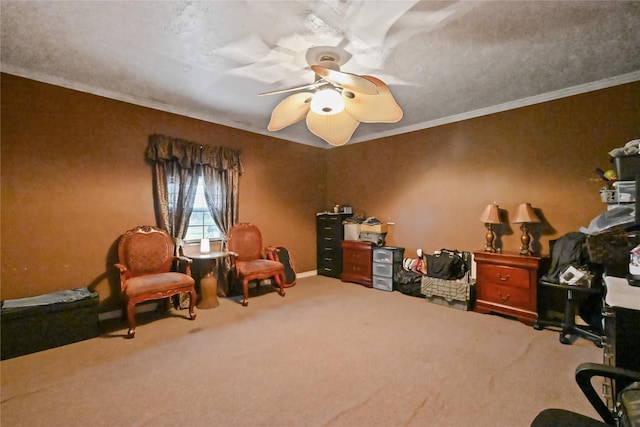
x,y
248,262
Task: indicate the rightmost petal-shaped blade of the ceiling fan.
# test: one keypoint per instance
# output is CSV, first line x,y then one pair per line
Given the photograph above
x,y
381,108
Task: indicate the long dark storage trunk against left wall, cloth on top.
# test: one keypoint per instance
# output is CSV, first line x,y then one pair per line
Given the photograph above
x,y
29,325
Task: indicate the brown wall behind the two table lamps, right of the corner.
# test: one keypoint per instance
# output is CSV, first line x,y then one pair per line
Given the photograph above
x,y
435,183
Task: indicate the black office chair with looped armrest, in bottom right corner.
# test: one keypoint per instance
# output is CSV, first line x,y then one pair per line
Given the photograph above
x,y
628,400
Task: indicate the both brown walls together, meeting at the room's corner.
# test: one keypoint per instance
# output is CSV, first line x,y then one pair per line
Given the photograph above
x,y
74,178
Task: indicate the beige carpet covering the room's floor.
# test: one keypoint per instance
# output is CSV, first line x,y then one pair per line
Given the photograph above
x,y
327,354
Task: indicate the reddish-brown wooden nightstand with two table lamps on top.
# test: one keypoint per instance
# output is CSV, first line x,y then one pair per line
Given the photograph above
x,y
506,283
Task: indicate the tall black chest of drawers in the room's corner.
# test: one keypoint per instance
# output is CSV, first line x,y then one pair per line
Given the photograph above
x,y
330,233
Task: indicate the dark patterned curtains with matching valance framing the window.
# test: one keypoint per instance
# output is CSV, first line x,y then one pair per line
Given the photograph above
x,y
177,165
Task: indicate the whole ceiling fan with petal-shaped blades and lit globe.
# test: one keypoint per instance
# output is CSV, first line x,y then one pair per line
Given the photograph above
x,y
336,102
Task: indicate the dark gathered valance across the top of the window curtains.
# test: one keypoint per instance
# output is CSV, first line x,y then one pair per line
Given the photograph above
x,y
164,148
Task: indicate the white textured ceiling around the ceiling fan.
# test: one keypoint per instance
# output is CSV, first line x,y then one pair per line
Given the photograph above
x,y
444,61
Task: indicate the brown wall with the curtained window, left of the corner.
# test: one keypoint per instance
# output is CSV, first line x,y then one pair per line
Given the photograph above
x,y
74,178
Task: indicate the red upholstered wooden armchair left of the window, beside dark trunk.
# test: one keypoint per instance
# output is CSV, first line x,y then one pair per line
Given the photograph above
x,y
146,257
